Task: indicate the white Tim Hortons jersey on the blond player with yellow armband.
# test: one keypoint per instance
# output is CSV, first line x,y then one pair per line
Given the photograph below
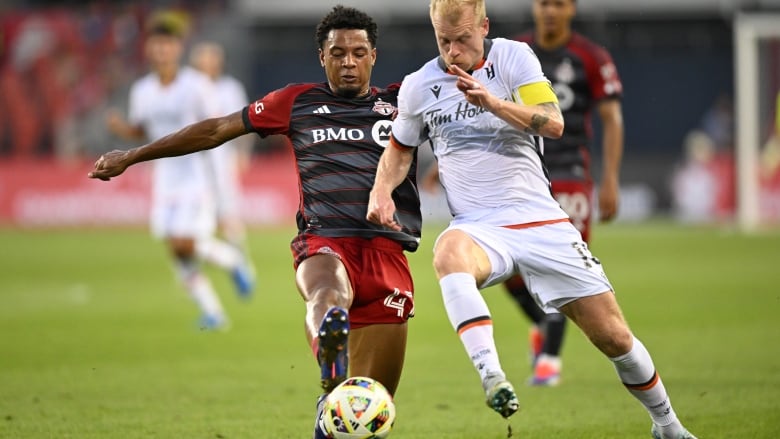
x,y
491,171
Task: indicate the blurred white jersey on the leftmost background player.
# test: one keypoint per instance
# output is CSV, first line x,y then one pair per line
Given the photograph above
x,y
163,109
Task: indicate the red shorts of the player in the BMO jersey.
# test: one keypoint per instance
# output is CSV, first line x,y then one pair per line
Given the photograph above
x,y
378,273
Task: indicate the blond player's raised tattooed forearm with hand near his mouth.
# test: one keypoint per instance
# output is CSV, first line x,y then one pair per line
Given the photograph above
x,y
543,118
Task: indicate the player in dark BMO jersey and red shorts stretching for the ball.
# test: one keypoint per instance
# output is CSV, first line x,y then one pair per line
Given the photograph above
x,y
352,274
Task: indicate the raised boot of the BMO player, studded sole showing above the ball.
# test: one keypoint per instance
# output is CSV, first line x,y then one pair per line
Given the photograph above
x,y
332,347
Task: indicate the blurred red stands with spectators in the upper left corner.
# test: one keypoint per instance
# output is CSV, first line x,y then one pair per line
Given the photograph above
x,y
63,64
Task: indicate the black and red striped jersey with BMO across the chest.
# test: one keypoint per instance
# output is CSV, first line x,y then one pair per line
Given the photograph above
x,y
337,143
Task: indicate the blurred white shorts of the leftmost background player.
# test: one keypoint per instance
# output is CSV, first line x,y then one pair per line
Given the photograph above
x,y
183,217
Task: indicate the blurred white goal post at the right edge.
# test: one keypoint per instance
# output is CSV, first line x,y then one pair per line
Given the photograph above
x,y
750,30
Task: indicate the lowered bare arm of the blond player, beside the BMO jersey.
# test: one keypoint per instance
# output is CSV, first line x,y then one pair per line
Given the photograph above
x,y
392,170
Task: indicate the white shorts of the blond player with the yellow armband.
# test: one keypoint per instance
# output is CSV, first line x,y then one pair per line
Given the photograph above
x,y
553,260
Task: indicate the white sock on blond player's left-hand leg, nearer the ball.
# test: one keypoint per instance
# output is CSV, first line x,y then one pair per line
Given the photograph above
x,y
470,317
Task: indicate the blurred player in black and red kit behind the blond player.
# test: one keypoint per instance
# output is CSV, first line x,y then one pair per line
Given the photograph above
x,y
584,78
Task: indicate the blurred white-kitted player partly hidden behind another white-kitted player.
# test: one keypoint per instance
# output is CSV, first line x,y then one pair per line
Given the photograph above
x,y
232,158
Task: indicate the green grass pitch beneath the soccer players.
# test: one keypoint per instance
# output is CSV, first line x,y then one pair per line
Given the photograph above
x,y
97,341
